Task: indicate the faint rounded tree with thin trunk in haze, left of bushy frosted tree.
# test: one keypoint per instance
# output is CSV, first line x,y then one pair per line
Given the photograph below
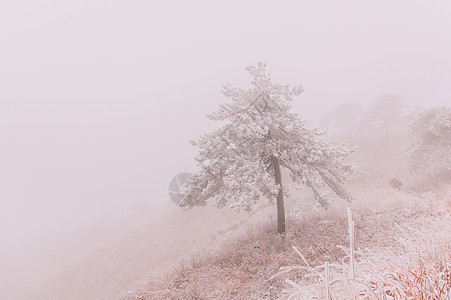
x,y
385,112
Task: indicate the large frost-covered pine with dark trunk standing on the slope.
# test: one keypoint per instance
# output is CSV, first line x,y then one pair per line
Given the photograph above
x,y
241,161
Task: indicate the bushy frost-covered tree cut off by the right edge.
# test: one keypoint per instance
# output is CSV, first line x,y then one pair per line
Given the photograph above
x,y
428,146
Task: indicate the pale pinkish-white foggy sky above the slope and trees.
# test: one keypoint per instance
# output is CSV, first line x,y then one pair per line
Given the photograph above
x,y
99,99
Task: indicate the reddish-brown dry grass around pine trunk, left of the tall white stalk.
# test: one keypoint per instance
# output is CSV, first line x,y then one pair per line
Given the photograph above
x,y
242,268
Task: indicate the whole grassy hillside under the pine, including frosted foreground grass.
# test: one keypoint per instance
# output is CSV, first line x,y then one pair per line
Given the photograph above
x,y
415,264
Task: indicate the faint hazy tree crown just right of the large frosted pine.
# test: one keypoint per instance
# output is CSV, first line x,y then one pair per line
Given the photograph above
x,y
343,120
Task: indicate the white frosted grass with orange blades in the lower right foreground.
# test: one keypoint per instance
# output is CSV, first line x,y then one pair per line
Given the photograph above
x,y
417,266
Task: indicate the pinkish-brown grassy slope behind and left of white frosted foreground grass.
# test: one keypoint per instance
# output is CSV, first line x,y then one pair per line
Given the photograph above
x,y
241,267
